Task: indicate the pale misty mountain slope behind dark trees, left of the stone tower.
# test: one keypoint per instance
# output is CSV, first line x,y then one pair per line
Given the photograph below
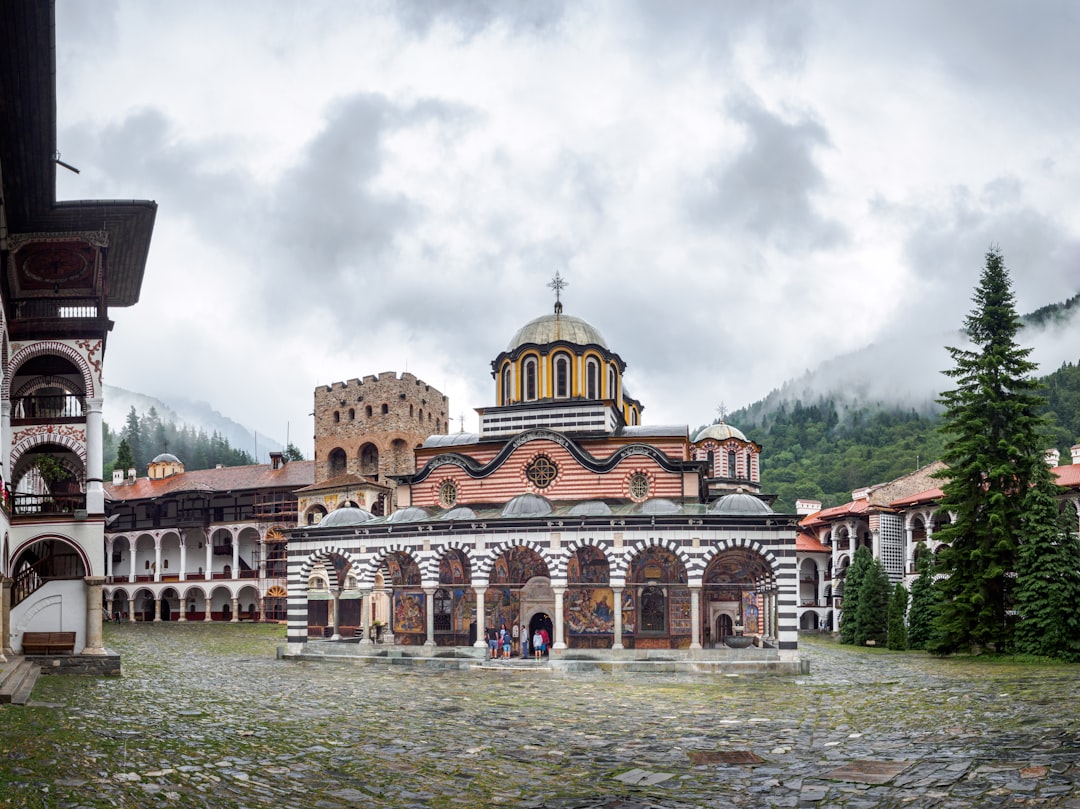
x,y
187,413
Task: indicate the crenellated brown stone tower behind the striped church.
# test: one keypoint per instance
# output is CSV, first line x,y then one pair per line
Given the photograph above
x,y
370,427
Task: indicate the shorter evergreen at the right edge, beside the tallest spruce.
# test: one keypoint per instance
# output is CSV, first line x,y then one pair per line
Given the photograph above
x,y
1048,576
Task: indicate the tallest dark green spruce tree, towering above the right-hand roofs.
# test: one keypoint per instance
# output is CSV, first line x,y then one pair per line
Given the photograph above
x,y
994,448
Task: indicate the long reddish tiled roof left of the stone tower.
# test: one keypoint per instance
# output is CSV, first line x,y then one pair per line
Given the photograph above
x,y
292,476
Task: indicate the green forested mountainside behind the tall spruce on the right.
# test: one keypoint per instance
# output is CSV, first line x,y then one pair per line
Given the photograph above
x,y
827,449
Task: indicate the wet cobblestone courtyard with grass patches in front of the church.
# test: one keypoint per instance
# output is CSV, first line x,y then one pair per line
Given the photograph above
x,y
207,717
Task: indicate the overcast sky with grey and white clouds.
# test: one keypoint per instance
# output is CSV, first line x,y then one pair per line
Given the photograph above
x,y
736,192
